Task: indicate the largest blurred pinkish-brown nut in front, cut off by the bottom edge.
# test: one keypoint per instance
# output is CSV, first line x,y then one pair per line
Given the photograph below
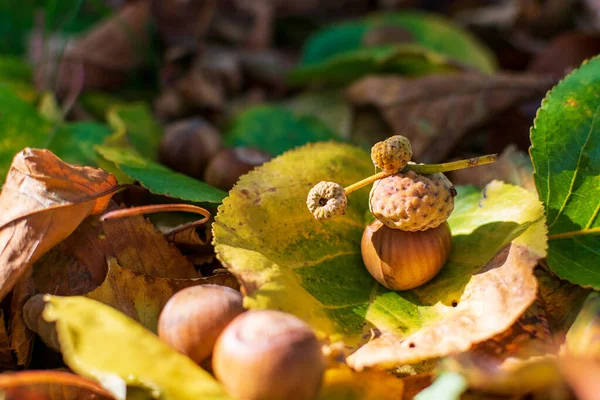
x,y
266,354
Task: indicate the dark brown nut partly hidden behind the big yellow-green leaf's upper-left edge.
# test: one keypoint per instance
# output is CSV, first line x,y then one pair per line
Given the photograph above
x,y
228,165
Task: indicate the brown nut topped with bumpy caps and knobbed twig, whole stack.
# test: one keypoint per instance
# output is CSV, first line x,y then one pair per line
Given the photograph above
x,y
410,240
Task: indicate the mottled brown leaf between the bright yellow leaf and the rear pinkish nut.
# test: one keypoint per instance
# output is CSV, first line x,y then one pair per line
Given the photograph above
x,y
142,297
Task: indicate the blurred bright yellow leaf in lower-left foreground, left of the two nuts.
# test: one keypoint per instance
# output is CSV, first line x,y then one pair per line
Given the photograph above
x,y
101,343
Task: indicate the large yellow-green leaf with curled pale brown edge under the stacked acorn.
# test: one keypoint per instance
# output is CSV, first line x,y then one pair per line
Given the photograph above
x,y
287,260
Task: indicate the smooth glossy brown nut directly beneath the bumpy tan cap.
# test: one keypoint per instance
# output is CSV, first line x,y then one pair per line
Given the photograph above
x,y
402,260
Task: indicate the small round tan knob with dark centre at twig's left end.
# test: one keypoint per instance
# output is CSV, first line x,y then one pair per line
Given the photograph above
x,y
326,200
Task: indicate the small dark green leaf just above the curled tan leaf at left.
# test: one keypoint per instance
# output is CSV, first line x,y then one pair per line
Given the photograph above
x,y
74,143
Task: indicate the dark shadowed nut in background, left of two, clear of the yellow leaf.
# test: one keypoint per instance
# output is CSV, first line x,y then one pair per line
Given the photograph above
x,y
188,145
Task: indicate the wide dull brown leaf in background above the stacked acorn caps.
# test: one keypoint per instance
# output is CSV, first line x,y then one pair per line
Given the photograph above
x,y
435,111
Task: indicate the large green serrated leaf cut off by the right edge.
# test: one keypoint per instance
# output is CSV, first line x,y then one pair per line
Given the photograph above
x,y
566,156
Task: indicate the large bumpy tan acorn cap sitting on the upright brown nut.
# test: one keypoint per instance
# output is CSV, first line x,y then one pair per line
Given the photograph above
x,y
412,202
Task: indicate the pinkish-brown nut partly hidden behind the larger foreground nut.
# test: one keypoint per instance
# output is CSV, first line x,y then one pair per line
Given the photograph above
x,y
194,317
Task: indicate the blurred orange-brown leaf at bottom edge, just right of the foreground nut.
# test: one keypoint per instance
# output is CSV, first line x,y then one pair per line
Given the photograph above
x,y
343,383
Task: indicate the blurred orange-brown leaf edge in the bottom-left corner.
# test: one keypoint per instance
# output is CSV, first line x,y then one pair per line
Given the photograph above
x,y
50,385
